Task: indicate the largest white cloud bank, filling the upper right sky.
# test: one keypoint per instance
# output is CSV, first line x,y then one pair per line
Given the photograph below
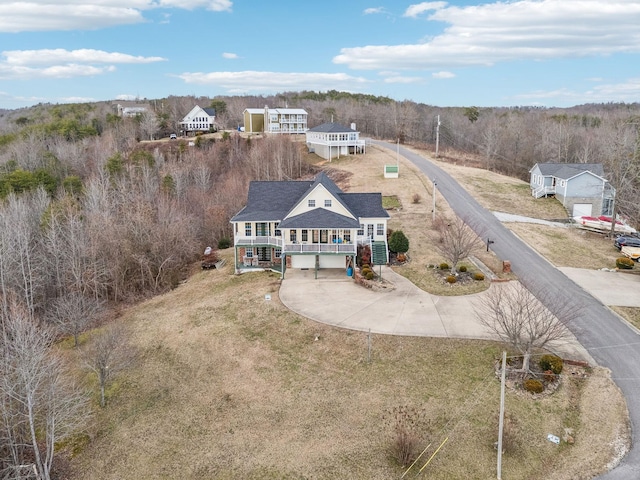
x,y
507,31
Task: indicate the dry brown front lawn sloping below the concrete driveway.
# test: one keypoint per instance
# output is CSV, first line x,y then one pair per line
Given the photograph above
x,y
230,385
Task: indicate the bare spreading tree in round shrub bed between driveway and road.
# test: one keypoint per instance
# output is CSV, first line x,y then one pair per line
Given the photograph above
x,y
520,320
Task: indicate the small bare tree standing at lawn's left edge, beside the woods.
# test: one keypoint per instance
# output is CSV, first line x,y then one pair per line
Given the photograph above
x,y
108,354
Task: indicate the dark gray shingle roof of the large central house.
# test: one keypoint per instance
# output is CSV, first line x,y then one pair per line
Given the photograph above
x,y
272,201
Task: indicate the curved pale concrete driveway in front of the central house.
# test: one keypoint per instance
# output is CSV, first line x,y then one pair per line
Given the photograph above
x,y
335,299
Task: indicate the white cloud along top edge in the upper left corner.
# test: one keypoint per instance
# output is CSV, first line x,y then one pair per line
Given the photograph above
x,y
46,15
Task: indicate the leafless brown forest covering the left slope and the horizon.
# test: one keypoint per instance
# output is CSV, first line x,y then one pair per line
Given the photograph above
x,y
93,216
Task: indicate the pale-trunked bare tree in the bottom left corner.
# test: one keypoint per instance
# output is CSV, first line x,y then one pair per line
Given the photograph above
x,y
40,406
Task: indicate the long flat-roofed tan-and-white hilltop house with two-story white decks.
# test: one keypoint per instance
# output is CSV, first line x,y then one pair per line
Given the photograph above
x,y
275,120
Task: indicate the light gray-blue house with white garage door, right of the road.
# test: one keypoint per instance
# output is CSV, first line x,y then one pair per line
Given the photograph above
x,y
580,187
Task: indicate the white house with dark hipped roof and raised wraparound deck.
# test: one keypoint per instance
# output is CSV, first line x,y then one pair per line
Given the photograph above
x,y
332,140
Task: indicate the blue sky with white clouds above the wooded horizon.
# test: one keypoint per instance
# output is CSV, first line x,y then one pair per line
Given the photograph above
x,y
550,53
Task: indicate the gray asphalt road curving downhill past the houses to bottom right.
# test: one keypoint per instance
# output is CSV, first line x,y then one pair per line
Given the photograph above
x,y
611,342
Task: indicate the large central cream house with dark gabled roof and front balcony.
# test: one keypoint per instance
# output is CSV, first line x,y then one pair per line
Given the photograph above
x,y
307,224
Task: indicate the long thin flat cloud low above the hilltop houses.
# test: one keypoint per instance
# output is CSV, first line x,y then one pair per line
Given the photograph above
x,y
274,81
